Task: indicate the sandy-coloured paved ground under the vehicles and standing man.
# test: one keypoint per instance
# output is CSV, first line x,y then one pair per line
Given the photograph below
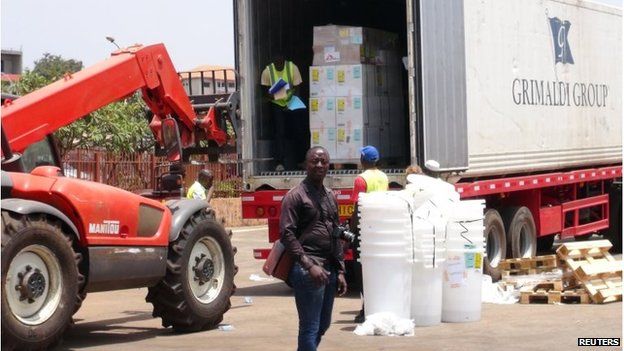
x,y
263,317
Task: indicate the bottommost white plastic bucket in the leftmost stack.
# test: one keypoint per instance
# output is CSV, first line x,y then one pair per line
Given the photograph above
x,y
379,272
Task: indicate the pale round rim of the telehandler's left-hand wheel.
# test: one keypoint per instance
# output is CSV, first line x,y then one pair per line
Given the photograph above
x,y
34,285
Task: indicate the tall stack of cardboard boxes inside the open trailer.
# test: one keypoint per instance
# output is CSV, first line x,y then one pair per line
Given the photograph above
x,y
356,97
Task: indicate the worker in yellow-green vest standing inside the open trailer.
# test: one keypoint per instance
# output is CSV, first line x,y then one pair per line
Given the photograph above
x,y
290,126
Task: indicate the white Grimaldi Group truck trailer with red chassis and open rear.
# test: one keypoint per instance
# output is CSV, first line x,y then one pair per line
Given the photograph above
x,y
517,102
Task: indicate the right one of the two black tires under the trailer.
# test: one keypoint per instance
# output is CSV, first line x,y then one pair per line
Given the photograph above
x,y
521,232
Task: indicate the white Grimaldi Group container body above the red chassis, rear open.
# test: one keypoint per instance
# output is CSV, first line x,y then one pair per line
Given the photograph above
x,y
488,93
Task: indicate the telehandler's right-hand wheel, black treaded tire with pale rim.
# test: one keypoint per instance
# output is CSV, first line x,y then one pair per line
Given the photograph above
x,y
174,299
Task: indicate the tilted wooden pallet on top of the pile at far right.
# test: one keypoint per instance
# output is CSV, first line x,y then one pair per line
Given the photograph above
x,y
594,268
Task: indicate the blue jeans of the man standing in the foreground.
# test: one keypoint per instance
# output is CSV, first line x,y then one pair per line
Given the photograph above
x,y
314,305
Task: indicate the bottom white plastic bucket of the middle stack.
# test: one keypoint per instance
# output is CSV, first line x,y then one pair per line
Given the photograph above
x,y
426,301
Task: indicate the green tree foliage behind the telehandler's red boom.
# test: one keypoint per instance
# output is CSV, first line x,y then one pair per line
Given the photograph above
x,y
119,127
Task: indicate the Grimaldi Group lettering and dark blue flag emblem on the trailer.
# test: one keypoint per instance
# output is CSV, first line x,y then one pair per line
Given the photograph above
x,y
534,91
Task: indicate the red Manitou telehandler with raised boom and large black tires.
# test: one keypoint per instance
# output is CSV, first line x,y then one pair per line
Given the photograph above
x,y
63,238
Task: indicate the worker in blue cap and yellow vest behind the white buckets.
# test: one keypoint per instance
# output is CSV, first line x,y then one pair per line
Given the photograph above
x,y
372,179
